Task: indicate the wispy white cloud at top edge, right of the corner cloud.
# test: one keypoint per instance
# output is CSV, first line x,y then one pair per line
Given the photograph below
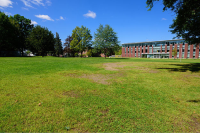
x,y
29,3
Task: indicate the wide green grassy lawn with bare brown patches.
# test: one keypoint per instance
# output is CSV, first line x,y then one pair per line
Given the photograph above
x,y
99,95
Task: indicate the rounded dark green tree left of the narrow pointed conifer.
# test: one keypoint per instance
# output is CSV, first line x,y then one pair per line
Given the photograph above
x,y
41,40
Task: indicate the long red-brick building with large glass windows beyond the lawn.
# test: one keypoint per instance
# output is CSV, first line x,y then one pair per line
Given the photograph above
x,y
160,49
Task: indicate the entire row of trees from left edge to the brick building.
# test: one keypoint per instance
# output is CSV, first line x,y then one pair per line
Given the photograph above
x,y
18,34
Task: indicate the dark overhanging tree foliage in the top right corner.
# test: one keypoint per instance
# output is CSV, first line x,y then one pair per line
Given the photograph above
x,y
187,22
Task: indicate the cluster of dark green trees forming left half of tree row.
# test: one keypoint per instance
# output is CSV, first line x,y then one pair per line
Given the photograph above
x,y
18,34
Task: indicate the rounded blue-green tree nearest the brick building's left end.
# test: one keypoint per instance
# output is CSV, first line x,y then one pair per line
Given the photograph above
x,y
105,38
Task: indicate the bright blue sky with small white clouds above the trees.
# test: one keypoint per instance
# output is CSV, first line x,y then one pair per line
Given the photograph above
x,y
129,18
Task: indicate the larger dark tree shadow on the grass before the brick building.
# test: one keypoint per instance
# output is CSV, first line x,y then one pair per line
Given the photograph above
x,y
193,67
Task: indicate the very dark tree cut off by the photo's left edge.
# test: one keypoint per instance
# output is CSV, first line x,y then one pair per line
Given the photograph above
x,y
8,33
